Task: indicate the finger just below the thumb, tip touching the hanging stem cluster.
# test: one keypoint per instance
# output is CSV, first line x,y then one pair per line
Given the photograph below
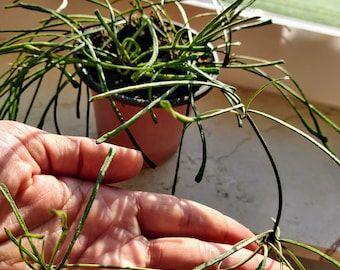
x,y
162,215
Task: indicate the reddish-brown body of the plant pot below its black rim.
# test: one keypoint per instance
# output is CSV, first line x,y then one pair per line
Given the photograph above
x,y
159,141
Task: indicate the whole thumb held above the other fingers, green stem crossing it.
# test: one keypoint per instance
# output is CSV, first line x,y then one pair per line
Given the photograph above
x,y
74,156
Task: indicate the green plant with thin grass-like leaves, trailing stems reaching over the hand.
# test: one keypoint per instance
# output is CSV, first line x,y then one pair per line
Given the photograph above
x,y
64,43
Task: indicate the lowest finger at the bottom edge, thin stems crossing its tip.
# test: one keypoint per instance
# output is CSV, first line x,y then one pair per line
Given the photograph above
x,y
185,253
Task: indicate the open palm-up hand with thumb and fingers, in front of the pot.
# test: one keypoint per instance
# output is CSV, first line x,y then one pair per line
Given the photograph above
x,y
45,171
